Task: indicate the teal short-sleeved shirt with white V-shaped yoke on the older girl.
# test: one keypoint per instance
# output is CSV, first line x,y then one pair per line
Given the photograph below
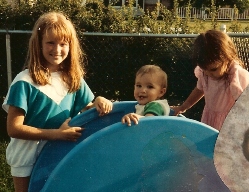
x,y
46,106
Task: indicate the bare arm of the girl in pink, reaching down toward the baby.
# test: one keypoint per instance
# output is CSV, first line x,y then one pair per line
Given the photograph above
x,y
192,99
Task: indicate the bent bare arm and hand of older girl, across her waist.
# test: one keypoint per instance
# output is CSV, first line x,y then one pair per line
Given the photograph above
x,y
16,129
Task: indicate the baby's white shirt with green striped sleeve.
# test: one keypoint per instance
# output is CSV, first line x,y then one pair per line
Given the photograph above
x,y
157,108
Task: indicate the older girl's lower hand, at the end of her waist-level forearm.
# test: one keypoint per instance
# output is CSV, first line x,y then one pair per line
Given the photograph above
x,y
65,132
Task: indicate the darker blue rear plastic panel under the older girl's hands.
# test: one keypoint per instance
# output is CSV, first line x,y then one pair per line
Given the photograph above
x,y
54,151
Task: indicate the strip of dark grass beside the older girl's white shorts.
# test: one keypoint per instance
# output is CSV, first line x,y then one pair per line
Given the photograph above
x,y
6,182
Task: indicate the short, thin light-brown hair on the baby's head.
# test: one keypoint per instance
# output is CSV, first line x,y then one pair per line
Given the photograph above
x,y
154,69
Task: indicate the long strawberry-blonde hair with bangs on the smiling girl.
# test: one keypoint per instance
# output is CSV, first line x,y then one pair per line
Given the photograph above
x,y
72,67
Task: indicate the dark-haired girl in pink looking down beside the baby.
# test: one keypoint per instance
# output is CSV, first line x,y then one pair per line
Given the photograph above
x,y
221,77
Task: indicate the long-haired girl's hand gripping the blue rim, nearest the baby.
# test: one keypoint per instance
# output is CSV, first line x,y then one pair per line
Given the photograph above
x,y
103,105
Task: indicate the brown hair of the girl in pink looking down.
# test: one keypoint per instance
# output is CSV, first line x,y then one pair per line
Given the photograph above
x,y
214,46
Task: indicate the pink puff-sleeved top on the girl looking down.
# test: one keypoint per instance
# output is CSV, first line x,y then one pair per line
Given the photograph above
x,y
220,95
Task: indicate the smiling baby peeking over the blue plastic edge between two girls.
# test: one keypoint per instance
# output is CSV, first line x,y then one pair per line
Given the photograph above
x,y
150,87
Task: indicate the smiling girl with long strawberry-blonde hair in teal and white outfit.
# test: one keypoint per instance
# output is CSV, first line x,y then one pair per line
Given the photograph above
x,y
46,94
